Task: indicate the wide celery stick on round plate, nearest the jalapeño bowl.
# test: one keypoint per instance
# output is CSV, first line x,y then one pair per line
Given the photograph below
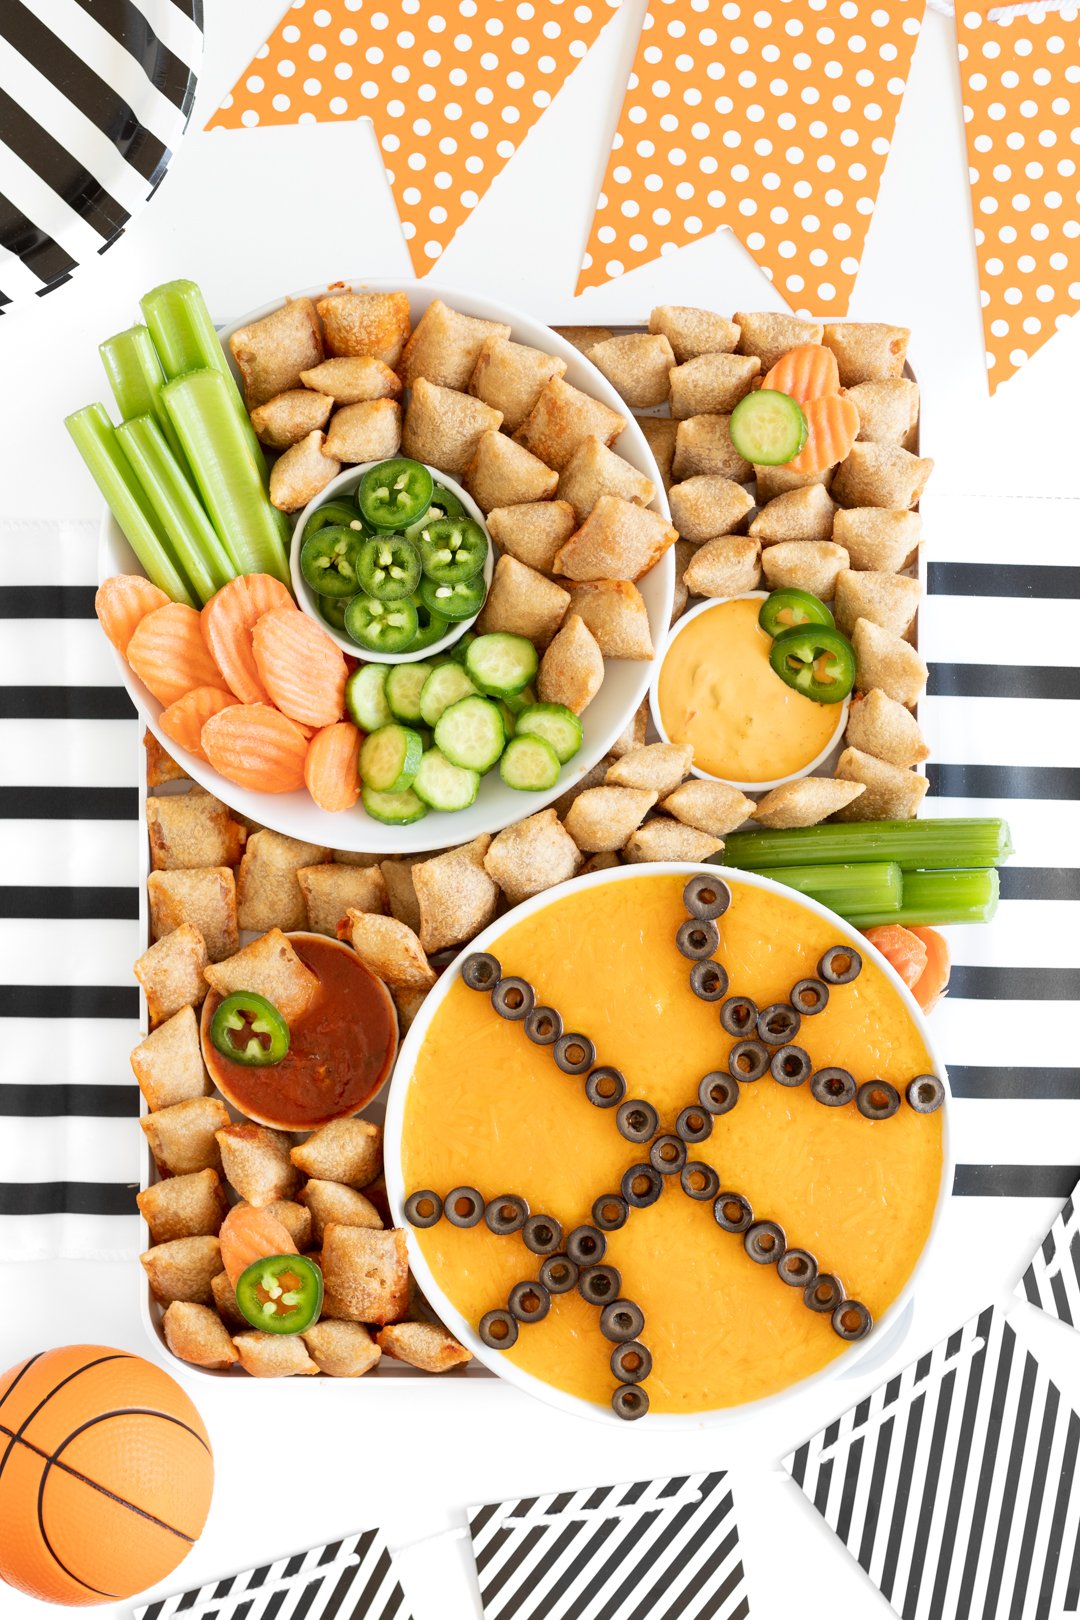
x,y
227,474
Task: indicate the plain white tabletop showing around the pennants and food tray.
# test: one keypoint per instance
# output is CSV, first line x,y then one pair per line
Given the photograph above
x,y
253,215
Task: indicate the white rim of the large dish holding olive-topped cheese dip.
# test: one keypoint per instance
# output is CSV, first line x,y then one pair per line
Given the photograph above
x,y
466,1331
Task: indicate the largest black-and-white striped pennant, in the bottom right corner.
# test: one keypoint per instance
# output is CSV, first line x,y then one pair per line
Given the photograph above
x,y
956,1483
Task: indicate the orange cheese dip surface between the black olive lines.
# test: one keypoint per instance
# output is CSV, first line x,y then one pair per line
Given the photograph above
x,y
488,1109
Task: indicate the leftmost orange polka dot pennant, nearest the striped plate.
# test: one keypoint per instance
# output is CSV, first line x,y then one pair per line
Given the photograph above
x,y
453,88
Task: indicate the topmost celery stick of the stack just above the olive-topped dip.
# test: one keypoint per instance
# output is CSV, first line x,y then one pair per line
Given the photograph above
x,y
912,845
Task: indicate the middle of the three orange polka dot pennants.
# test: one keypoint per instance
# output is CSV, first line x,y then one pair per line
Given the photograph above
x,y
773,117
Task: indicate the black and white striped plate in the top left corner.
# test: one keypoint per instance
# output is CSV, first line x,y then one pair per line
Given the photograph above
x,y
95,96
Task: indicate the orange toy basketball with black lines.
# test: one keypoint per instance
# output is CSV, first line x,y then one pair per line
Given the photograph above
x,y
106,1475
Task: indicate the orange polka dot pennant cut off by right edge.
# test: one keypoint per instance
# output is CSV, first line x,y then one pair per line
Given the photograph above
x,y
1021,82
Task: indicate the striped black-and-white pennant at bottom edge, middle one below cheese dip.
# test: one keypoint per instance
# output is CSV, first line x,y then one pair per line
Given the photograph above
x,y
658,1550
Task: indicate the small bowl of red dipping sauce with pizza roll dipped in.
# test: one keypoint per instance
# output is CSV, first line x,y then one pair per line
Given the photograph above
x,y
341,1051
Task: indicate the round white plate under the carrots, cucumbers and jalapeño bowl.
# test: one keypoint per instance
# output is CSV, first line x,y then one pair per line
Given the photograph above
x,y
626,681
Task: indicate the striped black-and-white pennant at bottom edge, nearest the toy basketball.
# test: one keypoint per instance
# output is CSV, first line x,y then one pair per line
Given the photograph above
x,y
346,1580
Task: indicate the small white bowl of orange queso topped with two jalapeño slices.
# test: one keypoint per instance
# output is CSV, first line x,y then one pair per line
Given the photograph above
x,y
716,691
